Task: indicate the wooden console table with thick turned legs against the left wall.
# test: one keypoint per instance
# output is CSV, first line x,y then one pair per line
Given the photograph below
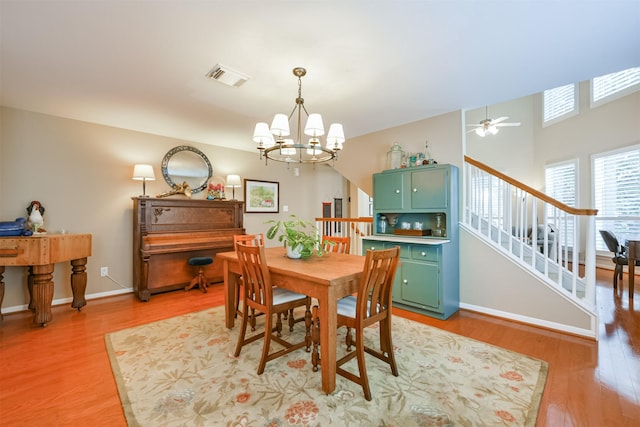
x,y
40,252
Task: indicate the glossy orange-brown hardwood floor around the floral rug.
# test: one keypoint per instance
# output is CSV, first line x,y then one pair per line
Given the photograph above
x,y
60,375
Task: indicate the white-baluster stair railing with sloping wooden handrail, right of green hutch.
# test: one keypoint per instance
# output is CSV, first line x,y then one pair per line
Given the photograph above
x,y
540,234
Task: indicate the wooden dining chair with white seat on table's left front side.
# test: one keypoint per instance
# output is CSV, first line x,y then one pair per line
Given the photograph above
x,y
261,296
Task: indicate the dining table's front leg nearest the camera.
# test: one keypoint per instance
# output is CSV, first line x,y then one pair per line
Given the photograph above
x,y
328,337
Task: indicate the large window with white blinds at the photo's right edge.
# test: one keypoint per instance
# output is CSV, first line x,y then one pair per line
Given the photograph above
x,y
616,193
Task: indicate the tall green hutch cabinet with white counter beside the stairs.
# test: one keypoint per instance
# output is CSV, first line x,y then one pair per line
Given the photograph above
x,y
427,280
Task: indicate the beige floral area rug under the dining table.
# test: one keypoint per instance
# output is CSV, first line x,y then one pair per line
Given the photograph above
x,y
181,372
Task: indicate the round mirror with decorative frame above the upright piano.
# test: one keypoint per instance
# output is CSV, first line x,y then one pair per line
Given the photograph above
x,y
187,164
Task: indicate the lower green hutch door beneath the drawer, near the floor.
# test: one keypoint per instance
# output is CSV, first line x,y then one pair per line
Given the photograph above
x,y
419,285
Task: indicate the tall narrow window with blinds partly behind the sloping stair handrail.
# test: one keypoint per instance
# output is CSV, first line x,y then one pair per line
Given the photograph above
x,y
561,183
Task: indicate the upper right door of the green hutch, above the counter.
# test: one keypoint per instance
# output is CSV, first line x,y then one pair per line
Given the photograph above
x,y
430,189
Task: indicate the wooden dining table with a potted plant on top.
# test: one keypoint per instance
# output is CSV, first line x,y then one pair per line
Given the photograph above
x,y
326,278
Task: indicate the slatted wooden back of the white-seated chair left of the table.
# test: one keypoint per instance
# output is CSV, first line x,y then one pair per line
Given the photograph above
x,y
255,276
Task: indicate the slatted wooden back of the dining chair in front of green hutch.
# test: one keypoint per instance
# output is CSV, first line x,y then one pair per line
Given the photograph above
x,y
377,282
